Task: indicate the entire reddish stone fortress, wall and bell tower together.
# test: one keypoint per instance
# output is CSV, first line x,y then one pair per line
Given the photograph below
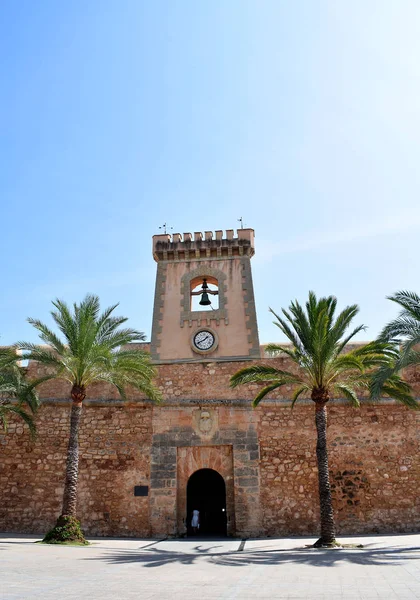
x,y
136,458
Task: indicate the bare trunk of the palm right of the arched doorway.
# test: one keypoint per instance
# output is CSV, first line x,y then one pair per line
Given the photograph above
x,y
327,514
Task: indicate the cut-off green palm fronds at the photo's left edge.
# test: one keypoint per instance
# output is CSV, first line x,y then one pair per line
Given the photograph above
x,y
16,393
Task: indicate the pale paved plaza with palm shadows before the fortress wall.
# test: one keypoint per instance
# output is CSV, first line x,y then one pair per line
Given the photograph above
x,y
387,567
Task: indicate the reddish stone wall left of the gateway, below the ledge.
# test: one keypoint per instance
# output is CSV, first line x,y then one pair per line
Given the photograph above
x,y
114,457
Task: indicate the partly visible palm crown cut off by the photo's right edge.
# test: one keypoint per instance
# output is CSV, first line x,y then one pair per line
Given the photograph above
x,y
404,330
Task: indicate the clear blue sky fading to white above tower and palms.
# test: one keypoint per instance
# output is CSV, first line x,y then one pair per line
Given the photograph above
x,y
301,117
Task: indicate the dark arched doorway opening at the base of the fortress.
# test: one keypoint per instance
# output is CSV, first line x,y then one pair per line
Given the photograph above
x,y
206,492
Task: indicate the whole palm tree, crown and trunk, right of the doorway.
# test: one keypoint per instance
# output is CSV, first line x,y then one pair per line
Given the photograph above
x,y
326,370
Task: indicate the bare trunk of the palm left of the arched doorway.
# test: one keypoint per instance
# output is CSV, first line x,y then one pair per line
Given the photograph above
x,y
72,467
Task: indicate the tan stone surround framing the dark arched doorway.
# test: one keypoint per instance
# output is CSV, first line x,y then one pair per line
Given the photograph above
x,y
195,458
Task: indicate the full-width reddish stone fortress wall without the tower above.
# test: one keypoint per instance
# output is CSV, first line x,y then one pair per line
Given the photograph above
x,y
266,456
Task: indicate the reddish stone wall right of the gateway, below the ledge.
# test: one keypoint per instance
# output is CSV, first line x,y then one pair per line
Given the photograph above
x,y
374,469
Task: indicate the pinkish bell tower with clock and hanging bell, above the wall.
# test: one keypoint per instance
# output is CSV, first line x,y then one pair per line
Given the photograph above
x,y
204,306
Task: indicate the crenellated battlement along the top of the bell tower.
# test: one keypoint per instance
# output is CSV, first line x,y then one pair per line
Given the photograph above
x,y
210,245
